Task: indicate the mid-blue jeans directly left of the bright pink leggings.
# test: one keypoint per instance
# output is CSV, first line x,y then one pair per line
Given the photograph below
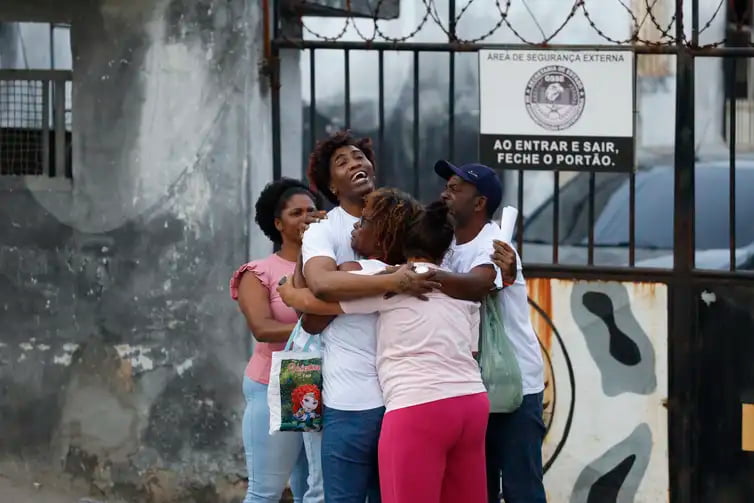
x,y
349,455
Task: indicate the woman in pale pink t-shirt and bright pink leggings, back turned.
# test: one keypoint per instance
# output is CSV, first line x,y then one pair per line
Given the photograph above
x,y
432,440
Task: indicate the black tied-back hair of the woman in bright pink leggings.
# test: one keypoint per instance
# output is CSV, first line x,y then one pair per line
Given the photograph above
x,y
430,234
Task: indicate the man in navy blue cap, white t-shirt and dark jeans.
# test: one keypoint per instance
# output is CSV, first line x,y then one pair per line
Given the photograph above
x,y
514,441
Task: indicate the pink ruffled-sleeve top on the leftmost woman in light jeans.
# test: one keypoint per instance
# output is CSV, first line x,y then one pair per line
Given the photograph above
x,y
269,271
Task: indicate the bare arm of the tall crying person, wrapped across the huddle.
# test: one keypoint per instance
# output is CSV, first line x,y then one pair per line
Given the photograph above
x,y
327,283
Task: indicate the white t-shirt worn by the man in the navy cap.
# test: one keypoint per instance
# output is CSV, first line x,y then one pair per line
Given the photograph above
x,y
514,304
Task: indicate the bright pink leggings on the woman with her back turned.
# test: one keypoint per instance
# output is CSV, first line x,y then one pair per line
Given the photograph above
x,y
434,452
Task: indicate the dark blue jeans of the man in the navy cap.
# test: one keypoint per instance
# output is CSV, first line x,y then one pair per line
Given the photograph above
x,y
514,450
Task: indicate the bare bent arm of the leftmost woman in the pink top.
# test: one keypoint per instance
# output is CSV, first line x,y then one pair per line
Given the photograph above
x,y
254,302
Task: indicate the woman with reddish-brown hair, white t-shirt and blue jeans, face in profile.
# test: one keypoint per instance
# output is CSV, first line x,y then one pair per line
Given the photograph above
x,y
387,214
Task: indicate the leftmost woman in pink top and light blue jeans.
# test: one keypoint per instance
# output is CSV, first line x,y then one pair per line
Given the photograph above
x,y
281,212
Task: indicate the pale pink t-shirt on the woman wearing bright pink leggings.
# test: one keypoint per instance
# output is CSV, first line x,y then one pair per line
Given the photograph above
x,y
424,348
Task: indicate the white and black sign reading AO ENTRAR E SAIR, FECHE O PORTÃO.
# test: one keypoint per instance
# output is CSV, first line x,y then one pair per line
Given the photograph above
x,y
552,109
